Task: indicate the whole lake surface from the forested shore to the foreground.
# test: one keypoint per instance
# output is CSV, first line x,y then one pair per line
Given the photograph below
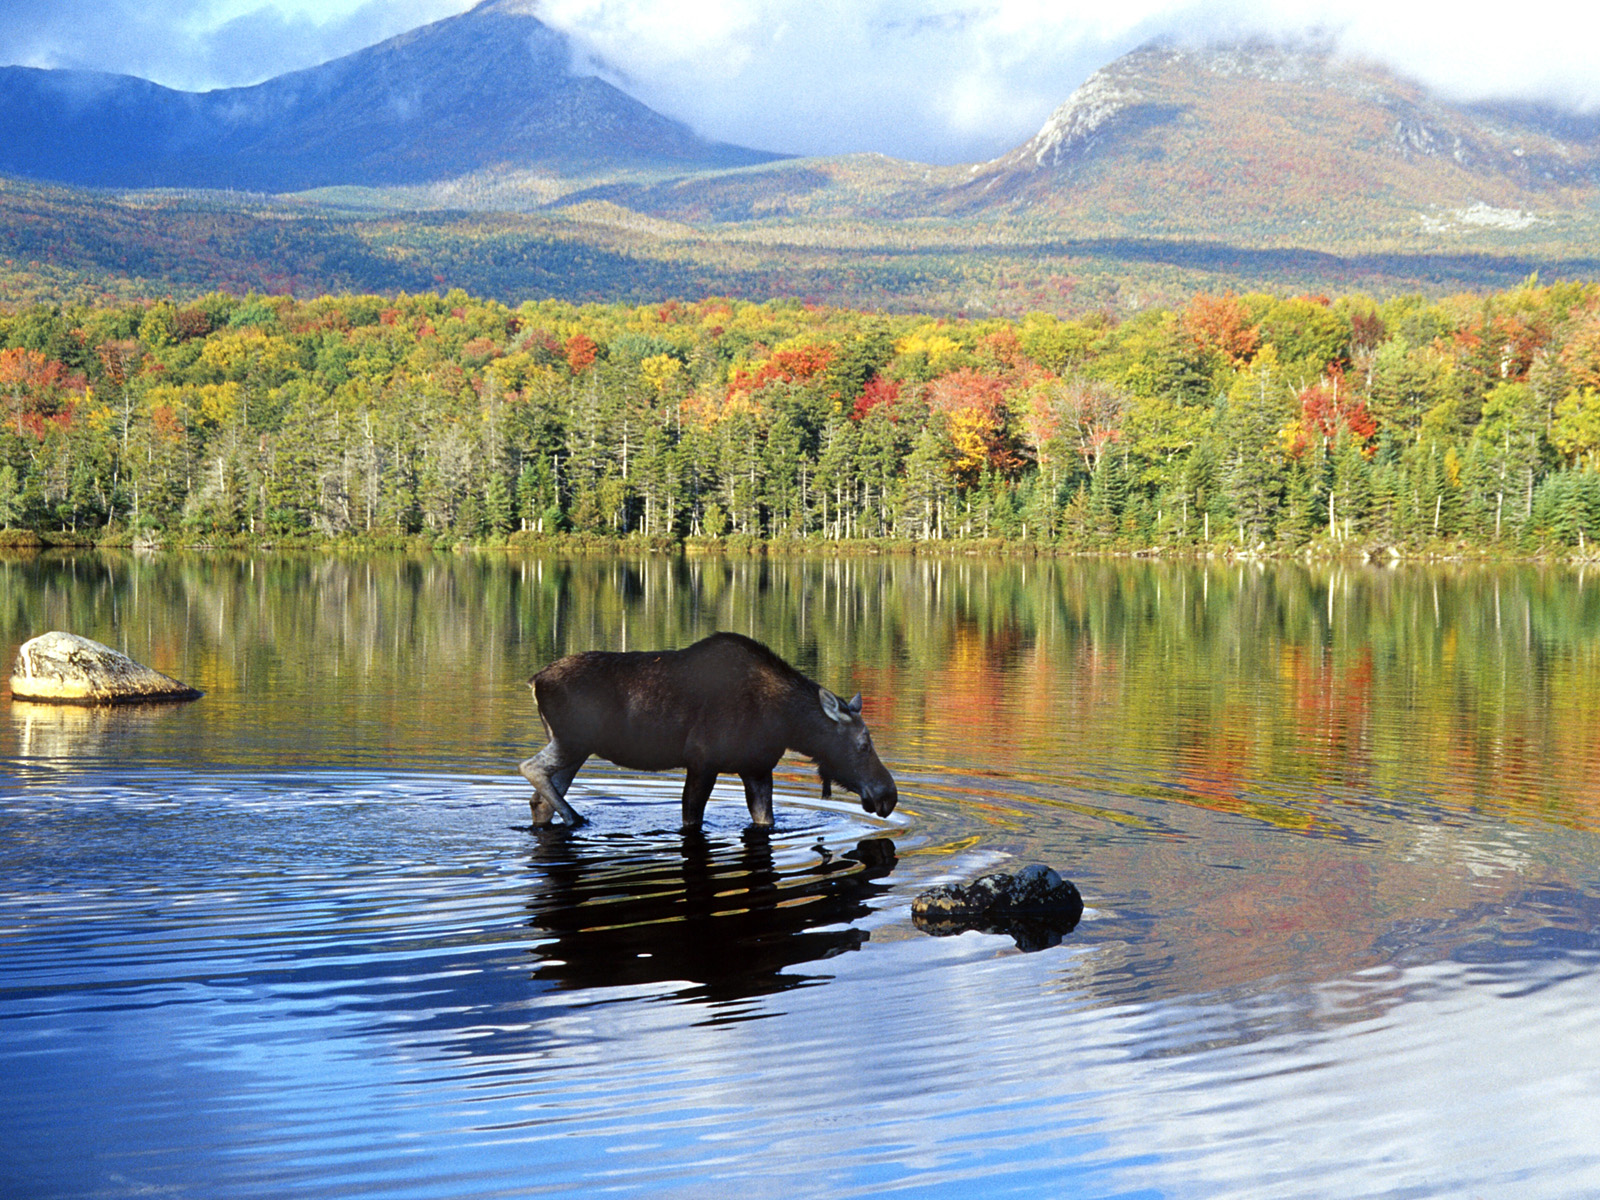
x,y
1335,830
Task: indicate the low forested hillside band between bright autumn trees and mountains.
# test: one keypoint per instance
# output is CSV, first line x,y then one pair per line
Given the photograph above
x,y
68,246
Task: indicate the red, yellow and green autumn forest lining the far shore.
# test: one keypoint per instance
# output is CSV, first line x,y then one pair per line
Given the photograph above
x,y
1236,423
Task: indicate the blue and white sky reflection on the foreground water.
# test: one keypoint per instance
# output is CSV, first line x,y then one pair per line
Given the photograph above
x,y
244,1030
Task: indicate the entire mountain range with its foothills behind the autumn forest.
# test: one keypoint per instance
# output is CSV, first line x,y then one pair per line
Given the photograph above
x,y
478,159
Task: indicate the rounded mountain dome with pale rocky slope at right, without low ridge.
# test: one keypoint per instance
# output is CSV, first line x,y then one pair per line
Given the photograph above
x,y
1274,140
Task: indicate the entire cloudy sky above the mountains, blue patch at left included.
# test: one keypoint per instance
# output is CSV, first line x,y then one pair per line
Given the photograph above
x,y
932,81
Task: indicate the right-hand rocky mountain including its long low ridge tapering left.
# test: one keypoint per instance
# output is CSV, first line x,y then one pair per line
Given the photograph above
x,y
1239,145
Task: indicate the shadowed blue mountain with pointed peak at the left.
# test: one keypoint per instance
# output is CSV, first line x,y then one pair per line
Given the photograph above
x,y
492,89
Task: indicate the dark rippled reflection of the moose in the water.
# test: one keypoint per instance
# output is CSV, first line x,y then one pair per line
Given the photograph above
x,y
721,921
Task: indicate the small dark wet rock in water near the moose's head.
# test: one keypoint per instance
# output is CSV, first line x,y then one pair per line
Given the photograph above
x,y
1034,906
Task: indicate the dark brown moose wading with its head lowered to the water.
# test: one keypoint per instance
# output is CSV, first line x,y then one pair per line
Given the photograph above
x,y
726,705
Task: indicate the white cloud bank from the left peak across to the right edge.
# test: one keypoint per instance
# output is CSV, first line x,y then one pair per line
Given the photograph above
x,y
951,81
